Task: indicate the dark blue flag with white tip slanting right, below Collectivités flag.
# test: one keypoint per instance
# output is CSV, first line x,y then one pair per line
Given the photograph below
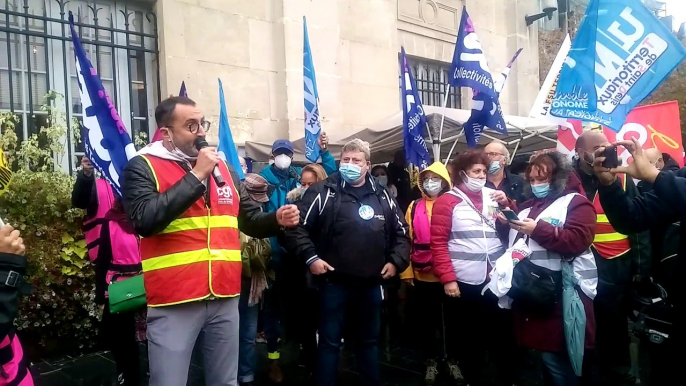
x,y
486,111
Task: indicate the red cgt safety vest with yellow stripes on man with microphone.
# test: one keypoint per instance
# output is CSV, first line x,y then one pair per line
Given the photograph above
x,y
198,254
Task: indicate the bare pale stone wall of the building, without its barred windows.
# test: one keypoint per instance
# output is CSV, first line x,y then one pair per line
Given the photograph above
x,y
256,48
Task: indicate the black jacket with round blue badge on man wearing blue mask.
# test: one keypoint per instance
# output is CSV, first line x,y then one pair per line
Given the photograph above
x,y
331,229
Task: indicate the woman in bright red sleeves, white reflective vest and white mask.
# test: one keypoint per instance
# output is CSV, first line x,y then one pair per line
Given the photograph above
x,y
464,246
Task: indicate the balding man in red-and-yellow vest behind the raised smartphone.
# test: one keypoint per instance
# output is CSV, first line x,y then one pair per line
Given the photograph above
x,y
617,256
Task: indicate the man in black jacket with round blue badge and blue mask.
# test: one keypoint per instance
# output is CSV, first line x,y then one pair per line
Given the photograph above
x,y
352,235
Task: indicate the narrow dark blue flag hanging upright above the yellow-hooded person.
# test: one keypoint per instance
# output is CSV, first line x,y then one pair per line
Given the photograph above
x,y
414,119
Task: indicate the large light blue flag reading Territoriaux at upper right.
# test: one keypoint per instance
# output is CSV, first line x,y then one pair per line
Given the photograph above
x,y
621,53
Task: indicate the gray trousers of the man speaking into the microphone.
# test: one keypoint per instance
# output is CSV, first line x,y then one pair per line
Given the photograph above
x,y
173,330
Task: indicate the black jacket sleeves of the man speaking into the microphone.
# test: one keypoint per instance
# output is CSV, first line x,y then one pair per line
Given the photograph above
x,y
150,211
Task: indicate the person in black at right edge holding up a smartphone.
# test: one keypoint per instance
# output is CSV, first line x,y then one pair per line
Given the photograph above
x,y
665,205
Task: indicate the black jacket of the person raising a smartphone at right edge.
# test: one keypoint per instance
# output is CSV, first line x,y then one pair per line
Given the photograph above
x,y
665,205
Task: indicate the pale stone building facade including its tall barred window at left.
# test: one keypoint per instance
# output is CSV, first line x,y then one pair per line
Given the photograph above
x,y
144,49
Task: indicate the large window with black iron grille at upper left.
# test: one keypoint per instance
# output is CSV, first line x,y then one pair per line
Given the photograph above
x,y
37,55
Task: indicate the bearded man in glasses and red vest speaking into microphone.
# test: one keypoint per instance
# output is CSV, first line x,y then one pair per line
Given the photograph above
x,y
190,248
